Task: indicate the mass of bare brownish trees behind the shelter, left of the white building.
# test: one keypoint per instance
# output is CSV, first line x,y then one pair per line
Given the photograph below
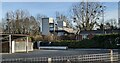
x,y
21,22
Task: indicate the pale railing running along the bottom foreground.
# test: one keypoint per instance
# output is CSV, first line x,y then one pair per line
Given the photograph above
x,y
87,57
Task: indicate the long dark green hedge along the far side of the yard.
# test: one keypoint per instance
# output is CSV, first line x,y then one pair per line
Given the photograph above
x,y
99,41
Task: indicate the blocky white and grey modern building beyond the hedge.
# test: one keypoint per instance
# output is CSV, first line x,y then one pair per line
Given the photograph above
x,y
50,27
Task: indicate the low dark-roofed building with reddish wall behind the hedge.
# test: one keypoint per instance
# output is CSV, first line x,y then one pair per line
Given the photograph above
x,y
91,33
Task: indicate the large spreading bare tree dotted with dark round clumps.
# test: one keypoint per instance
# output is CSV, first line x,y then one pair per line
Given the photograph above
x,y
87,14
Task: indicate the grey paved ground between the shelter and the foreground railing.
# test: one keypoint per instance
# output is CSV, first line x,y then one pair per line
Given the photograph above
x,y
51,53
